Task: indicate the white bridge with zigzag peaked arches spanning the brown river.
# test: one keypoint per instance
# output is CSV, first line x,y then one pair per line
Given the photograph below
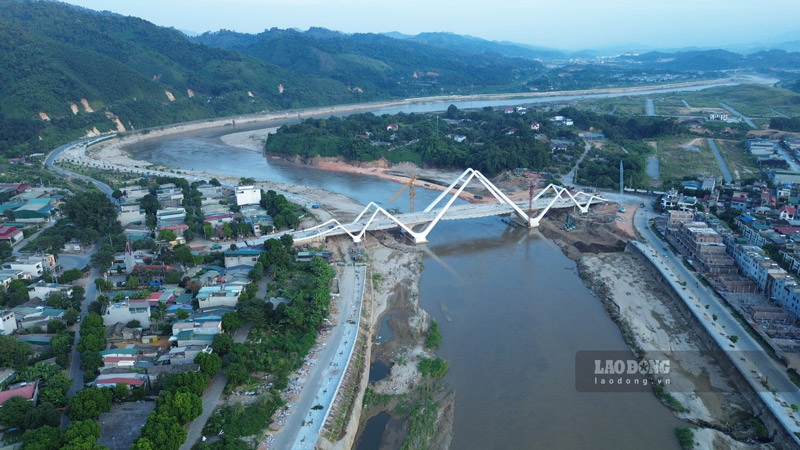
x,y
373,217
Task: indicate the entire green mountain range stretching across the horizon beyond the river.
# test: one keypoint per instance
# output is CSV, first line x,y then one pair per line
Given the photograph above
x,y
67,71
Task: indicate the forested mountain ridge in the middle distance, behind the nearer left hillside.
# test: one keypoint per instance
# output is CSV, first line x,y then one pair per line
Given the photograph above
x,y
380,66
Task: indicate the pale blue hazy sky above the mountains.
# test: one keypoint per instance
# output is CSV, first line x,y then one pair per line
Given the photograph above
x,y
574,24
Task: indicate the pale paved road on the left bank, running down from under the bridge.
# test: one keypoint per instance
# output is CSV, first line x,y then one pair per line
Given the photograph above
x,y
302,427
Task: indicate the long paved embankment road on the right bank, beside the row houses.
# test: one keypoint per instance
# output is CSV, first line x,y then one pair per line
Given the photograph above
x,y
747,354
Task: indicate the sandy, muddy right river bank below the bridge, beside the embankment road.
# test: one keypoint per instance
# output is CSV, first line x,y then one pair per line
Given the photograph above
x,y
702,393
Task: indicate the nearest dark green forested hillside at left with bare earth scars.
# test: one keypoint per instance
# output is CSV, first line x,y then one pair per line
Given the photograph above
x,y
54,57
